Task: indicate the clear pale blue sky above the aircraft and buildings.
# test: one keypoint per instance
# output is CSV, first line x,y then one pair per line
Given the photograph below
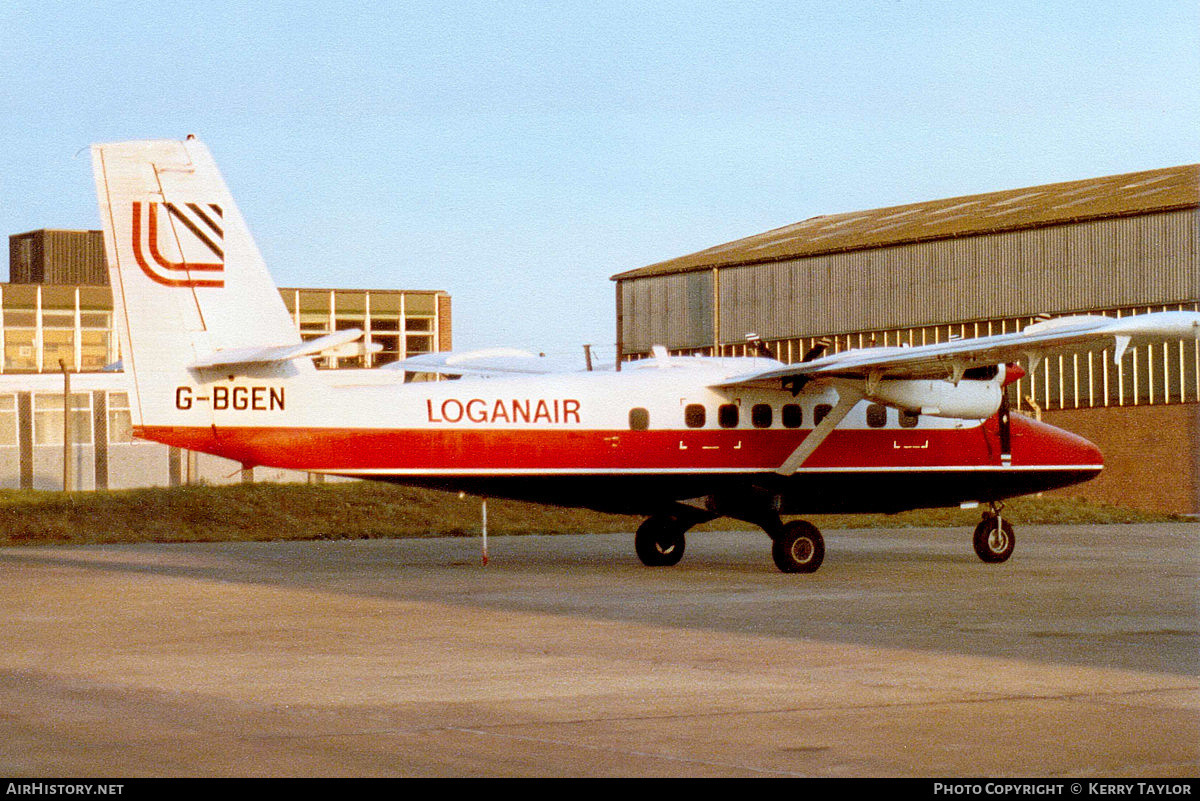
x,y
520,154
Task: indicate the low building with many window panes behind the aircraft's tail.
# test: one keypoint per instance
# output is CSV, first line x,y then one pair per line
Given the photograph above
x,y
58,306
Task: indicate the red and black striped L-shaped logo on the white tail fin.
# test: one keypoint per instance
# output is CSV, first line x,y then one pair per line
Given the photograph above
x,y
195,230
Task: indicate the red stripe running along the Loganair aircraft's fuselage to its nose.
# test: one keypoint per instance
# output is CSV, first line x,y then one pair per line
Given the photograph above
x,y
458,450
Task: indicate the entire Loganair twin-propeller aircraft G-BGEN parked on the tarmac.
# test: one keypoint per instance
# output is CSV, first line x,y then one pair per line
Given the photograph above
x,y
219,366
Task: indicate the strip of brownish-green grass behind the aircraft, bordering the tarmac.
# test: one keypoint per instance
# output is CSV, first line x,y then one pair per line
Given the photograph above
x,y
367,510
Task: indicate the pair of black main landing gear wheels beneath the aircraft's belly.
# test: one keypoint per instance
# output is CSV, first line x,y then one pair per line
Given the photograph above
x,y
797,547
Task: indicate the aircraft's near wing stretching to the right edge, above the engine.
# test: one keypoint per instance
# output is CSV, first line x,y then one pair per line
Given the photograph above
x,y
951,360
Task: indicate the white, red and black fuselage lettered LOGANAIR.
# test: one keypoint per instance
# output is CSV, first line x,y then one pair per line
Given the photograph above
x,y
628,442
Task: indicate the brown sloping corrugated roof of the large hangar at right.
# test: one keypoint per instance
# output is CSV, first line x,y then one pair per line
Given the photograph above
x,y
1117,196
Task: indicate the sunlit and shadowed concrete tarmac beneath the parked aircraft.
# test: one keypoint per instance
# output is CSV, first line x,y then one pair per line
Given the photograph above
x,y
903,657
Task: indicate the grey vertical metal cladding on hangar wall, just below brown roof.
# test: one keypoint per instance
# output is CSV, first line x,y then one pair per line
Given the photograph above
x,y
1117,263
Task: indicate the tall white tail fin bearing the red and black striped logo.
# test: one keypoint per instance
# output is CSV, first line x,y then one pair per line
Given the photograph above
x,y
189,284
